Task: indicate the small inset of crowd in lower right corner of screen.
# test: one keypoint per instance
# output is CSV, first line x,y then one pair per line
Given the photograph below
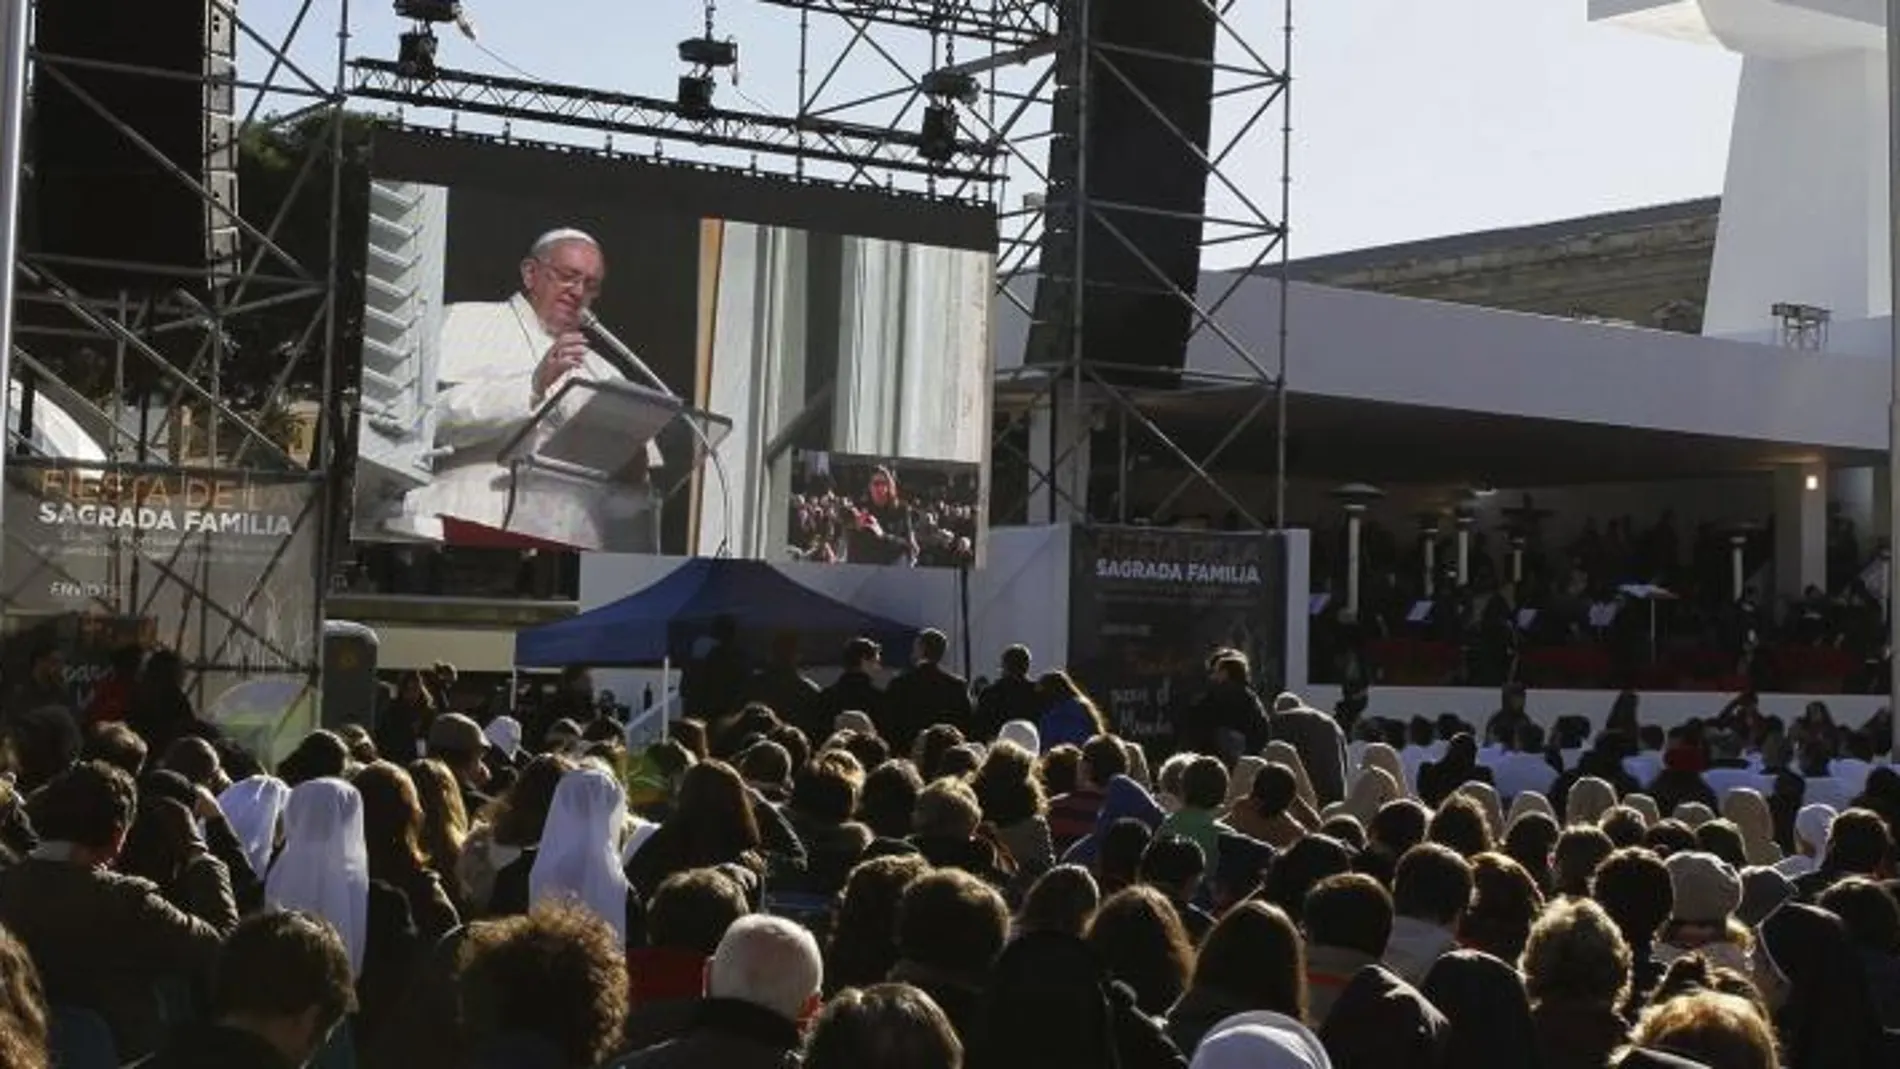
x,y
850,510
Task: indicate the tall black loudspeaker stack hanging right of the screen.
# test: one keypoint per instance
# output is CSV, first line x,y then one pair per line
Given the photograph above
x,y
1133,140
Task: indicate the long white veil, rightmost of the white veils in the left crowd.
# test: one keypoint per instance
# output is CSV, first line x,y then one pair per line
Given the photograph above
x,y
580,848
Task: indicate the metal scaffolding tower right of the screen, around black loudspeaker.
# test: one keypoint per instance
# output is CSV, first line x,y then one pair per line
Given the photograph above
x,y
1253,96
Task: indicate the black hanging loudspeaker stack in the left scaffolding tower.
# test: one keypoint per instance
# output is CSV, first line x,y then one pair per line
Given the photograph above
x,y
100,195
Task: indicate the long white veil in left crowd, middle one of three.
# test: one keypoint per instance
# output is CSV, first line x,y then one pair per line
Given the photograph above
x,y
324,867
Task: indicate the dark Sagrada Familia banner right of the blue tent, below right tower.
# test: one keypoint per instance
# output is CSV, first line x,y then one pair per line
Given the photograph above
x,y
1149,605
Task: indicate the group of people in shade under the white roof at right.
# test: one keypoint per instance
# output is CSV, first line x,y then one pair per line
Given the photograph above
x,y
1644,593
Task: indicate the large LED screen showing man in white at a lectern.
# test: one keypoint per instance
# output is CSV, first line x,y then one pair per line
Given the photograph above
x,y
613,356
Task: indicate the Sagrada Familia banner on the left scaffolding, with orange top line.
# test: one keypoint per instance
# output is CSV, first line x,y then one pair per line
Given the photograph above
x,y
216,567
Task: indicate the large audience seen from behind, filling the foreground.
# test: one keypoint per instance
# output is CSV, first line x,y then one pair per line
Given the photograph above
x,y
909,871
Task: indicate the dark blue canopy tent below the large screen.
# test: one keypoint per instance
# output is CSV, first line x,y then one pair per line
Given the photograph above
x,y
662,624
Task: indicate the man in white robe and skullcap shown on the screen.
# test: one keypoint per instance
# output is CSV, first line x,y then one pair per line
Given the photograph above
x,y
499,364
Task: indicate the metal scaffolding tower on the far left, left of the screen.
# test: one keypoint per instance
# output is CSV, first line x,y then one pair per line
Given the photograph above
x,y
221,377
